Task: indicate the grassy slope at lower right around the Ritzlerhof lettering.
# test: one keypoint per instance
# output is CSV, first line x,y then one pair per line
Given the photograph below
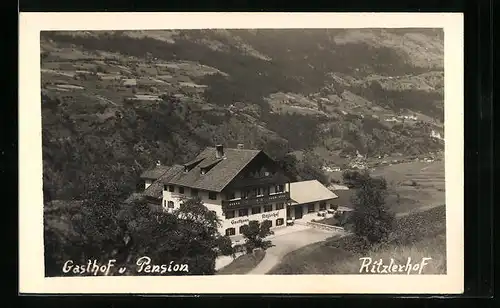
x,y
415,236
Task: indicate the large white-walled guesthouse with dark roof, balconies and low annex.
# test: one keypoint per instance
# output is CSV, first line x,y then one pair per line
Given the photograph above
x,y
239,185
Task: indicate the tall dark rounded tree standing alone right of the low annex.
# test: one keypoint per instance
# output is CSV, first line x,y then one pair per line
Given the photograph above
x,y
371,219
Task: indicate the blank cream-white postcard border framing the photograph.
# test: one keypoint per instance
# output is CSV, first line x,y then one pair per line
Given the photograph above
x,y
31,266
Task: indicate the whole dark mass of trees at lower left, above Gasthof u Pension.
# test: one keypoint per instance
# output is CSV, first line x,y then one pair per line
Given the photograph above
x,y
106,228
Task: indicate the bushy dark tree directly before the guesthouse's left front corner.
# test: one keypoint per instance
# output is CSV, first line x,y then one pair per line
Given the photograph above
x,y
186,236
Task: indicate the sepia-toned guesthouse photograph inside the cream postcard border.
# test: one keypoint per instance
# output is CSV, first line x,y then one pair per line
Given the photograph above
x,y
244,152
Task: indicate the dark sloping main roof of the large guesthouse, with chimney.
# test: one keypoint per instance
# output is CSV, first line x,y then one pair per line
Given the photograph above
x,y
220,175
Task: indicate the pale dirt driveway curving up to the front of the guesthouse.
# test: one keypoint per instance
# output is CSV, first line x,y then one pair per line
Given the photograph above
x,y
286,243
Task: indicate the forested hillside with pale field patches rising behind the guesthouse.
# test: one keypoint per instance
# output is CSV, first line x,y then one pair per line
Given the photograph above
x,y
117,101
